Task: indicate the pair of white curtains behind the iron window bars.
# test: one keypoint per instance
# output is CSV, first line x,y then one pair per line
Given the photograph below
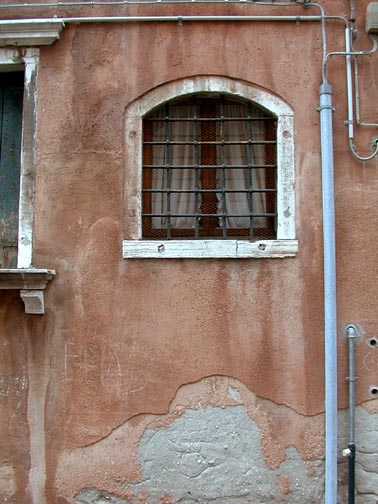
x,y
187,156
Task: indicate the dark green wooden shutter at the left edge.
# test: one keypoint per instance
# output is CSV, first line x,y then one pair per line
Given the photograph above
x,y
11,95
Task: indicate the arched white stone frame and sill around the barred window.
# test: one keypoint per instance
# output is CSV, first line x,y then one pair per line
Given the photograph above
x,y
285,244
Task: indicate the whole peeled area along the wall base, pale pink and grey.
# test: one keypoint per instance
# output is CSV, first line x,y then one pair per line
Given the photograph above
x,y
218,443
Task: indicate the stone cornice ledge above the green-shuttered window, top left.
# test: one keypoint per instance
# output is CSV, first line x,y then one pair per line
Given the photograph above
x,y
32,32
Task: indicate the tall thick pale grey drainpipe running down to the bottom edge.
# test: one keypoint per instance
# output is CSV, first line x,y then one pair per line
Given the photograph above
x,y
330,319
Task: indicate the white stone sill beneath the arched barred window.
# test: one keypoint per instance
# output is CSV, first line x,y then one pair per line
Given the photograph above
x,y
207,249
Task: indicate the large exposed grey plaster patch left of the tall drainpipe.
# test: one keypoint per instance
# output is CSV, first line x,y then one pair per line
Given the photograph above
x,y
214,454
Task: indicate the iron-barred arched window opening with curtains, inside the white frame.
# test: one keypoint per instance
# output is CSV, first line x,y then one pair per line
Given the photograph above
x,y
209,170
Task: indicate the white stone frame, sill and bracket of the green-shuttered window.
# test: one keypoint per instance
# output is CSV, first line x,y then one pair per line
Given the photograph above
x,y
30,281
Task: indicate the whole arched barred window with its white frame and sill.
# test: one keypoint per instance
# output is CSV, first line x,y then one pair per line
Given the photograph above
x,y
209,172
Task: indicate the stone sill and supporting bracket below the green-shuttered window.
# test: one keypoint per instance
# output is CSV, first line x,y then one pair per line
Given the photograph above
x,y
31,284
